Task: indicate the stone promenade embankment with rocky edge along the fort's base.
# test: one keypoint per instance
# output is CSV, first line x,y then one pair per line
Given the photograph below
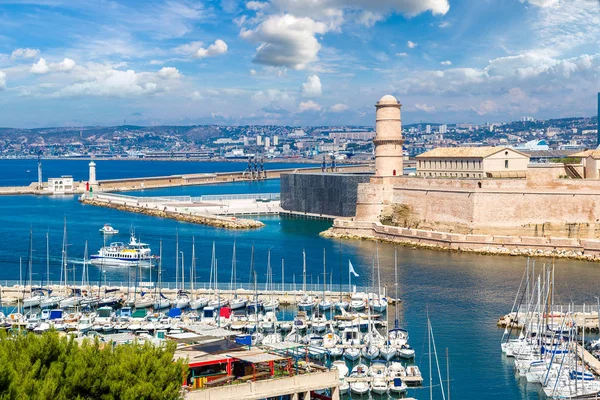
x,y
569,248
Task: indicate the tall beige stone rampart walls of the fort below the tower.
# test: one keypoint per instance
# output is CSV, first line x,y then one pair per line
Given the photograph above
x,y
538,205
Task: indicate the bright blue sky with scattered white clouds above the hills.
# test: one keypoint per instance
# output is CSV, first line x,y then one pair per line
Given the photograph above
x,y
295,62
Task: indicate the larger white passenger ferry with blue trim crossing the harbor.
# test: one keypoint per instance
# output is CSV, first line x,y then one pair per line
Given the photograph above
x,y
119,254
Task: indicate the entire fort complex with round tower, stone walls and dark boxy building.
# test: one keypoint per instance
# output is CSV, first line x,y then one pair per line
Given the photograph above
x,y
480,192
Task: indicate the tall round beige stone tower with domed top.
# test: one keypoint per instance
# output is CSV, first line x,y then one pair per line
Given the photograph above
x,y
388,138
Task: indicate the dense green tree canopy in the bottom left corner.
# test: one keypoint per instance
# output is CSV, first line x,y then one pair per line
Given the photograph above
x,y
54,367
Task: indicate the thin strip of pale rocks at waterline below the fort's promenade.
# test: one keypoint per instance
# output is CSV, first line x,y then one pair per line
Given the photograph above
x,y
483,250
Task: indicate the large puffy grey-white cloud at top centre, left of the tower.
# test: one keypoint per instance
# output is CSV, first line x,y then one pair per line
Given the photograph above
x,y
286,41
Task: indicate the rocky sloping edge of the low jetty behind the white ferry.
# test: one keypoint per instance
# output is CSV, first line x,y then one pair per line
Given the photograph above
x,y
219,222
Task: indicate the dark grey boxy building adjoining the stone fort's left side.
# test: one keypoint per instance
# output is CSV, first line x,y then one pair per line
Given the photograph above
x,y
332,194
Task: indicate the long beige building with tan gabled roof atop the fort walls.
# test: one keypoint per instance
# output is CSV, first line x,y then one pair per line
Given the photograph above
x,y
472,162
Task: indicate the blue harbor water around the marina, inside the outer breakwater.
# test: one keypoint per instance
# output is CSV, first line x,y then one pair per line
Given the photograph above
x,y
464,294
